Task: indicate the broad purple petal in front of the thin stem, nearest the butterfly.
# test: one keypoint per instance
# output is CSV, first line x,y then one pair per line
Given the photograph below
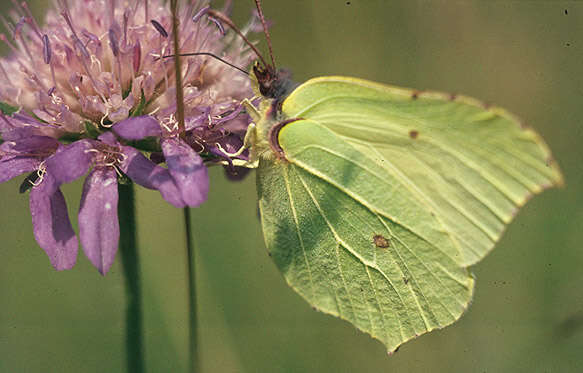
x,y
187,170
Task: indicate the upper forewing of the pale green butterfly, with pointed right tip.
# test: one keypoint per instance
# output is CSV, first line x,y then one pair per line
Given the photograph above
x,y
468,165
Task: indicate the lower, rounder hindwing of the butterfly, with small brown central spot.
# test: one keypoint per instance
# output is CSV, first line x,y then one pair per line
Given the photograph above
x,y
346,257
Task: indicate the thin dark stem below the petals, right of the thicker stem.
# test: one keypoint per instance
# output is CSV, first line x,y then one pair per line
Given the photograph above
x,y
194,364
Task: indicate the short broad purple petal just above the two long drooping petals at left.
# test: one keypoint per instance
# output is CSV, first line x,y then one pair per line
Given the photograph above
x,y
70,162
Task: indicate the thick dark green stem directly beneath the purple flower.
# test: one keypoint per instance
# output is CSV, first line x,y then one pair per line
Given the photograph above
x,y
131,269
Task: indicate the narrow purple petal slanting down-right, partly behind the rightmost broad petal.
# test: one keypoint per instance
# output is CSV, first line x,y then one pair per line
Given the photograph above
x,y
149,175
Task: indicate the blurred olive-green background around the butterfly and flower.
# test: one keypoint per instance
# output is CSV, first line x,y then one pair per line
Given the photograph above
x,y
527,313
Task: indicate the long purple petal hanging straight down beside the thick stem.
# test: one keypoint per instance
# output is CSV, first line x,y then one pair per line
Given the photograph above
x,y
98,223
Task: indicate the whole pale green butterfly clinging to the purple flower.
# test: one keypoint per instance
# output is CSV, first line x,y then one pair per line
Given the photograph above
x,y
375,199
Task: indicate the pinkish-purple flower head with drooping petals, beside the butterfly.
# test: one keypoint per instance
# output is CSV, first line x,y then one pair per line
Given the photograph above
x,y
93,91
